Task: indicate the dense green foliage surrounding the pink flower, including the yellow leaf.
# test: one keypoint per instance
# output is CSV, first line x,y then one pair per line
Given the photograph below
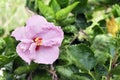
x,y
90,50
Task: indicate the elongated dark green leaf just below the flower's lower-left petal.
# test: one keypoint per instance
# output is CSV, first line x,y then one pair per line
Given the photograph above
x,y
25,69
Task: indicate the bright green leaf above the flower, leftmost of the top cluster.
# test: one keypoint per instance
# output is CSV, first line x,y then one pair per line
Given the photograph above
x,y
46,11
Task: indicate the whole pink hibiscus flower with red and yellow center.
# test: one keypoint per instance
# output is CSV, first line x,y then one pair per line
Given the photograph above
x,y
40,40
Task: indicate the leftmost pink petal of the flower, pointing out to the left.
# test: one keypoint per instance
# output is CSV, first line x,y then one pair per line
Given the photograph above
x,y
20,33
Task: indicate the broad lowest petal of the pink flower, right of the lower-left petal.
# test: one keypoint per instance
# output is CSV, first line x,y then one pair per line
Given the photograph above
x,y
45,55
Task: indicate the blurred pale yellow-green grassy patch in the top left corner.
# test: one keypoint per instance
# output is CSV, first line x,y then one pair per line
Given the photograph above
x,y
13,14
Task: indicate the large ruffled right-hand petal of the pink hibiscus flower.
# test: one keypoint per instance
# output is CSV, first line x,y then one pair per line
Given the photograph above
x,y
51,36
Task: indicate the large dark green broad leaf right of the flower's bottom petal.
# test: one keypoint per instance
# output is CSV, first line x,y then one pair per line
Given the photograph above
x,y
82,56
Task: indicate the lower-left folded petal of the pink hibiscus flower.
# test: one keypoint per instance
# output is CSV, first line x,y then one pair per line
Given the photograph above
x,y
23,52
